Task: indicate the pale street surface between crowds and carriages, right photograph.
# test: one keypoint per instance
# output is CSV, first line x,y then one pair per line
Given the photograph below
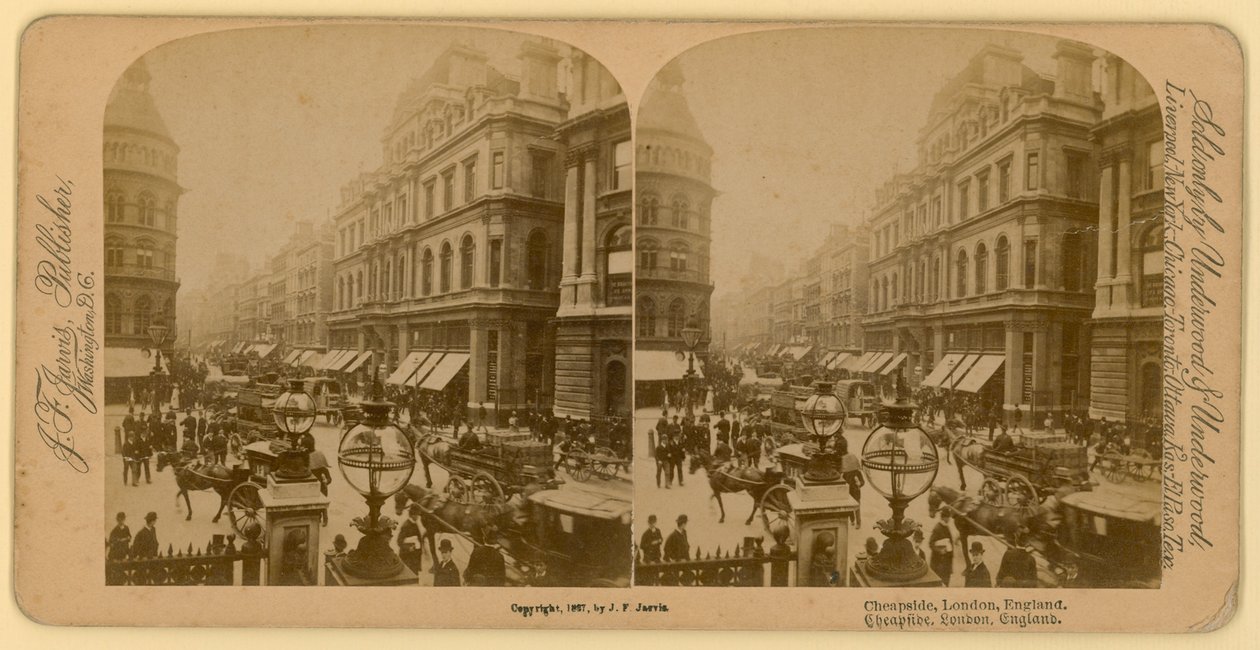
x,y
705,533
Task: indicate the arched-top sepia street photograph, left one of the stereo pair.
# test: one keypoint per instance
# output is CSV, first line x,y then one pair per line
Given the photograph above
x,y
367,312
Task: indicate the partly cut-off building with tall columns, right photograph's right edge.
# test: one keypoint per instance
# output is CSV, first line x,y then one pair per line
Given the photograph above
x,y
1126,368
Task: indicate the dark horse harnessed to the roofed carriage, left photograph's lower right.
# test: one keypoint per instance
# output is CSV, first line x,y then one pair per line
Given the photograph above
x,y
443,515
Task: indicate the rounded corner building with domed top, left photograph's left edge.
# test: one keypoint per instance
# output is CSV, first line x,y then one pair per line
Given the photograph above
x,y
142,197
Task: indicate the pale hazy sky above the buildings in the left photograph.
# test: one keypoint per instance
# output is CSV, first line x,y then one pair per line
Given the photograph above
x,y
272,123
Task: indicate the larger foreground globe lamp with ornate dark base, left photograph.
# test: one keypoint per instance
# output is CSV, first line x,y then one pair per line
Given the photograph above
x,y
377,460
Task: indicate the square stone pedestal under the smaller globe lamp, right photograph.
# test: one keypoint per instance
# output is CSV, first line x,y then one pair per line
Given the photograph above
x,y
823,515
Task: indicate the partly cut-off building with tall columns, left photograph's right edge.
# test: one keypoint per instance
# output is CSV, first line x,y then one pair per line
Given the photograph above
x,y
594,321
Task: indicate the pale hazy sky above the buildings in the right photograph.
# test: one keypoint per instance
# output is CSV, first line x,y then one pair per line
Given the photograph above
x,y
807,124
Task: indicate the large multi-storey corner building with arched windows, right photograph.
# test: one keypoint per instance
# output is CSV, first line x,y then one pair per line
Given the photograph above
x,y
982,250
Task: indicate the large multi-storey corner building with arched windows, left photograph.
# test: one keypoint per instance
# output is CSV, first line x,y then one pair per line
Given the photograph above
x,y
454,244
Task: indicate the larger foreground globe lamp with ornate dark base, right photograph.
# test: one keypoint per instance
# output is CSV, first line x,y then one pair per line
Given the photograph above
x,y
900,463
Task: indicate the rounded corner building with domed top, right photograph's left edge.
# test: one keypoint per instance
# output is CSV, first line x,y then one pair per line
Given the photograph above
x,y
672,271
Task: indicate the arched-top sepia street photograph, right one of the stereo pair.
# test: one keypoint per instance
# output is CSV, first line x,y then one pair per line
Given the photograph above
x,y
898,314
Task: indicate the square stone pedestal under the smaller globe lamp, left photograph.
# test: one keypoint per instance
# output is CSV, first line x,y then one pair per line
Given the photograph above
x,y
295,511
